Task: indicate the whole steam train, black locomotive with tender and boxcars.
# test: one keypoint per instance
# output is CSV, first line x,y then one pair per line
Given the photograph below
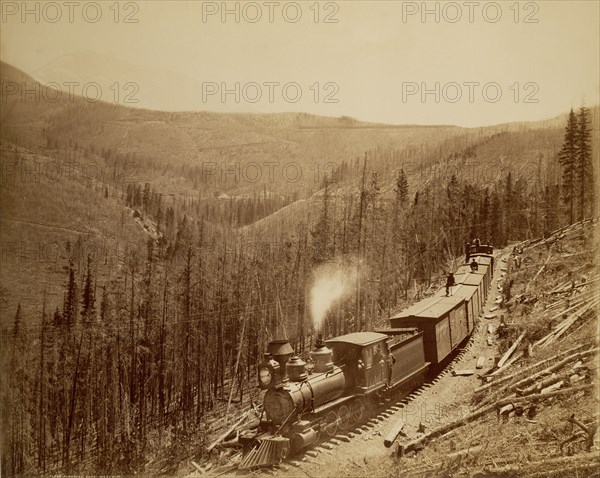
x,y
350,373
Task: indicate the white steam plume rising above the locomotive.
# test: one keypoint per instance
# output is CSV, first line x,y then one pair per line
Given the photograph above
x,y
332,283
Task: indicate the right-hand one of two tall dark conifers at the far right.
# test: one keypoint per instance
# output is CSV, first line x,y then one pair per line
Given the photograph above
x,y
583,160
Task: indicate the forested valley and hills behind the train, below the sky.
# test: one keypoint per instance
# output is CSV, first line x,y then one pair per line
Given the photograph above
x,y
122,336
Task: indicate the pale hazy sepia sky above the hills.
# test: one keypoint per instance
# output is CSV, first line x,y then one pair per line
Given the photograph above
x,y
377,57
